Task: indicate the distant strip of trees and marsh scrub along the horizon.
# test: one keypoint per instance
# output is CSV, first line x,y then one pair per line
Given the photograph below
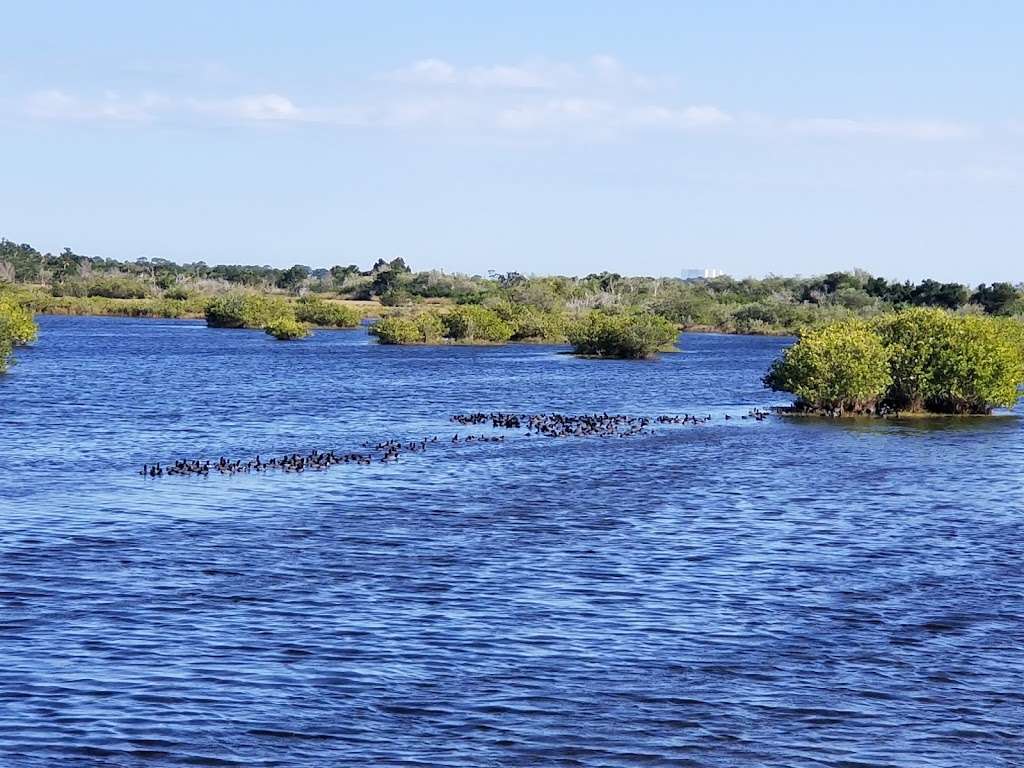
x,y
537,308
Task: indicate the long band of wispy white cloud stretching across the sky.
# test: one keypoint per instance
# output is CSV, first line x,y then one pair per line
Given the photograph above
x,y
599,98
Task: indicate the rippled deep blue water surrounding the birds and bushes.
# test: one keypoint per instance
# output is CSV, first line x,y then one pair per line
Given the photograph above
x,y
791,593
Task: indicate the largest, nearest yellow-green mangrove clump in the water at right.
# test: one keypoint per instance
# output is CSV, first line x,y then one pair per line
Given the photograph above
x,y
918,361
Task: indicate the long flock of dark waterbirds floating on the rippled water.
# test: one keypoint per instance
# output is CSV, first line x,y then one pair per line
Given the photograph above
x,y
547,425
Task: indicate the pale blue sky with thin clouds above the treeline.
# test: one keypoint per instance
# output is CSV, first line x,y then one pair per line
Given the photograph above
x,y
786,138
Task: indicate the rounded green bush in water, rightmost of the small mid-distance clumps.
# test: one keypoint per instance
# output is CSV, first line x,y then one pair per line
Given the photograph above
x,y
630,336
